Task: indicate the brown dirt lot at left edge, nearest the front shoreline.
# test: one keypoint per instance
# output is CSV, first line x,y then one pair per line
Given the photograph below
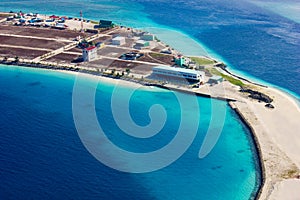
x,y
21,53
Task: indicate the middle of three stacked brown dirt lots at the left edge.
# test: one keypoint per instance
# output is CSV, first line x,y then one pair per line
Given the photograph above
x,y
28,42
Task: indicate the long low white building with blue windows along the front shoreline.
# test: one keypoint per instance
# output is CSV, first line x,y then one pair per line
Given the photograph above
x,y
179,73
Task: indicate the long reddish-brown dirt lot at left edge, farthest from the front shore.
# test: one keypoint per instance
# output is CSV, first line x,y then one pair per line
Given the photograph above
x,y
41,32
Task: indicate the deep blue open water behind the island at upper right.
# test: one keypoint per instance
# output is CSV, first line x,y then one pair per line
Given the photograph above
x,y
255,41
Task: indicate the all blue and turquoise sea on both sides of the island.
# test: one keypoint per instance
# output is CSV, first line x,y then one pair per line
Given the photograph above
x,y
42,156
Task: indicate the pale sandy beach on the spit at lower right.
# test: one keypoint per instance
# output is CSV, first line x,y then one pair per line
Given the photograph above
x,y
278,135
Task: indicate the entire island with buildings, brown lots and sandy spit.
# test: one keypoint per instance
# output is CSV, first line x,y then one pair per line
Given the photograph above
x,y
102,48
